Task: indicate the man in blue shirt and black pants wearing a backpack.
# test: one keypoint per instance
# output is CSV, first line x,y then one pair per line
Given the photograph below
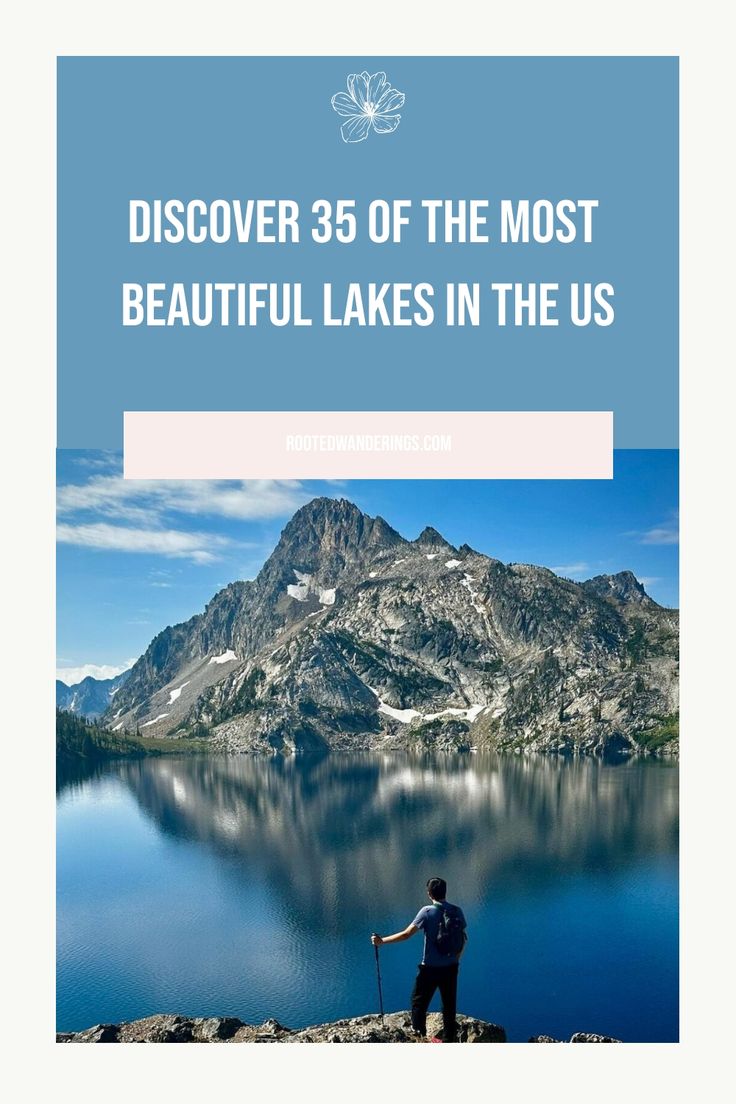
x,y
445,937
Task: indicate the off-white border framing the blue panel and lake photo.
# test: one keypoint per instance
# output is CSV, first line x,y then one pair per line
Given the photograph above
x,y
700,35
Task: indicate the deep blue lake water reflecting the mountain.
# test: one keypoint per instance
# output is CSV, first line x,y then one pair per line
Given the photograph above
x,y
250,887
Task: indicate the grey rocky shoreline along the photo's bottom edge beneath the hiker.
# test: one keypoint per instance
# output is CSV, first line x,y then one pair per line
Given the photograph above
x,y
396,1027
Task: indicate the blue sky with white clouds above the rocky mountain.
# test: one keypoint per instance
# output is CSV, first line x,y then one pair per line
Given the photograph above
x,y
135,557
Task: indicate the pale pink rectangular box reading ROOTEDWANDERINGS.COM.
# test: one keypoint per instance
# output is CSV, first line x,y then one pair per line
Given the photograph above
x,y
369,445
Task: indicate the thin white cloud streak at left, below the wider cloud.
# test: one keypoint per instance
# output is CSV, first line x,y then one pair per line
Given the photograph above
x,y
169,543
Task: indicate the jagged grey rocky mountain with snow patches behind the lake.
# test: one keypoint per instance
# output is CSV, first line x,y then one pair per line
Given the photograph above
x,y
354,638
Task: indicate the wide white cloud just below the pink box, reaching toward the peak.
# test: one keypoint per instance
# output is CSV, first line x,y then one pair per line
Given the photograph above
x,y
143,502
